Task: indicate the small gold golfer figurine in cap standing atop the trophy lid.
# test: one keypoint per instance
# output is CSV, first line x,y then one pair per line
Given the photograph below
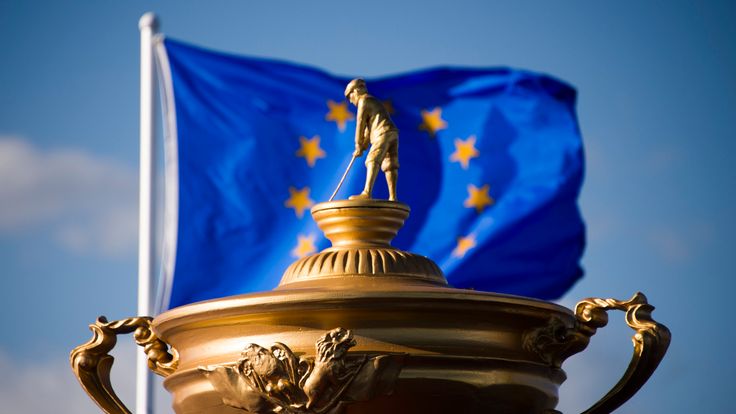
x,y
373,126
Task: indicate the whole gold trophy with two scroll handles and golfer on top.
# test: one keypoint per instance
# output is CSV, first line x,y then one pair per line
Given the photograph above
x,y
362,327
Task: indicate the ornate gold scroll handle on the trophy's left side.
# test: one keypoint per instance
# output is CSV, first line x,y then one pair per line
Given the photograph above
x,y
92,363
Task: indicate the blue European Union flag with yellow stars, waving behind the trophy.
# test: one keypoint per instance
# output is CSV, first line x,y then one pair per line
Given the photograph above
x,y
491,165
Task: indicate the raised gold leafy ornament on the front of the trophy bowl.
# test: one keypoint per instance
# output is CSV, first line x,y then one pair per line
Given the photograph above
x,y
275,380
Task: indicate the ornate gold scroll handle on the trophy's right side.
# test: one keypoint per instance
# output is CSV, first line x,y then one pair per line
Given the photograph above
x,y
650,344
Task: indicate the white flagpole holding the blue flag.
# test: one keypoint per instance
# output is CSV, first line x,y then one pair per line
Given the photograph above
x,y
148,26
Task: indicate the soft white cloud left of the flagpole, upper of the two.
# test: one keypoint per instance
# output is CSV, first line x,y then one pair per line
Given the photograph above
x,y
89,203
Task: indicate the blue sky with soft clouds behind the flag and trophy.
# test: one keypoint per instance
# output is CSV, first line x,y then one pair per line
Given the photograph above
x,y
657,107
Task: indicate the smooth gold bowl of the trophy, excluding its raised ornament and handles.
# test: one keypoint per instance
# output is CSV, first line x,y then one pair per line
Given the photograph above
x,y
463,348
